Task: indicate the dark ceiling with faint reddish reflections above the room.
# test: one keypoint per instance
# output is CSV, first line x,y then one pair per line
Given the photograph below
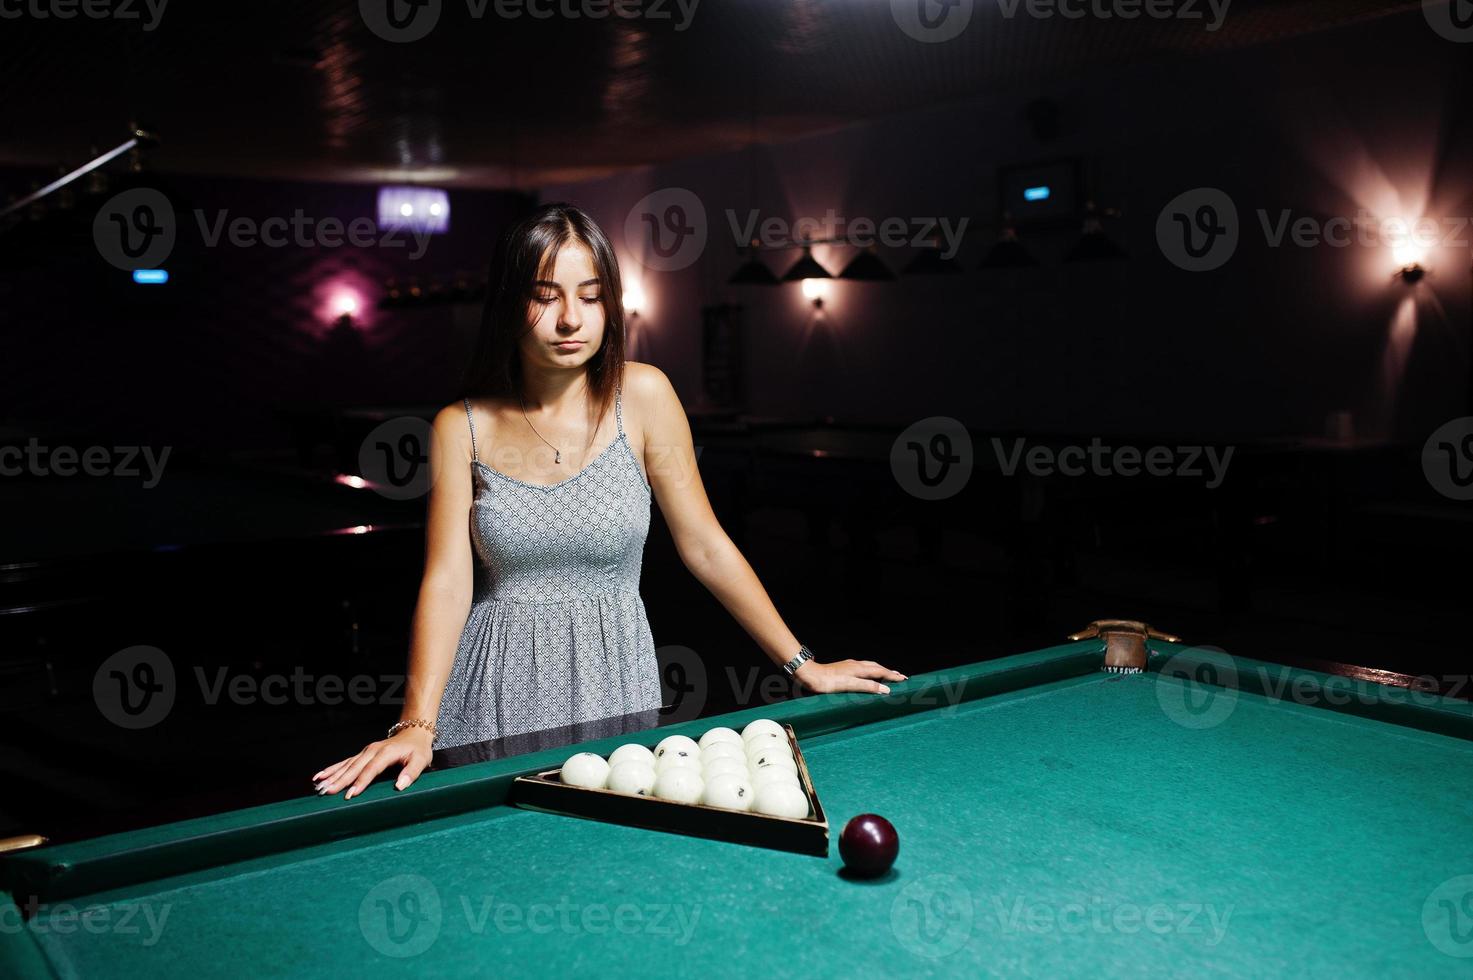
x,y
307,91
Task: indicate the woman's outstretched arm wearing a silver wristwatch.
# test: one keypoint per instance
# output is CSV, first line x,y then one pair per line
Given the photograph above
x,y
709,552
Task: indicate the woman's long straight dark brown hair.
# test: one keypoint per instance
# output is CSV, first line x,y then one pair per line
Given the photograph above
x,y
522,257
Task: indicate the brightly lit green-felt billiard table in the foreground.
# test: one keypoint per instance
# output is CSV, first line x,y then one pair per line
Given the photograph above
x,y
1207,816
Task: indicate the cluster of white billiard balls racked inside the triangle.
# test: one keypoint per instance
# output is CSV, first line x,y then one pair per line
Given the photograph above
x,y
749,771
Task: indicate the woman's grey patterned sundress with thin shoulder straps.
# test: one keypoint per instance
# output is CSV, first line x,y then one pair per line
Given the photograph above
x,y
558,633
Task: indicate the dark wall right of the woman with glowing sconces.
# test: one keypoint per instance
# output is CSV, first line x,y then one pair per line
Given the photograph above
x,y
1270,346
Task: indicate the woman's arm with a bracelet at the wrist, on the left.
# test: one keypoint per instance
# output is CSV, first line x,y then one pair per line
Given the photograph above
x,y
440,617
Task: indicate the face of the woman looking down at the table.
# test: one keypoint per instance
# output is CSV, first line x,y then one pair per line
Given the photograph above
x,y
566,312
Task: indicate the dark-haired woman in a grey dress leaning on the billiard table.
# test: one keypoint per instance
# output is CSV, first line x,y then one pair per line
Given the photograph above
x,y
534,618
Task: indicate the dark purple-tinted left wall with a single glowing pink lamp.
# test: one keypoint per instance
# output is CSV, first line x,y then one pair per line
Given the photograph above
x,y
242,334
